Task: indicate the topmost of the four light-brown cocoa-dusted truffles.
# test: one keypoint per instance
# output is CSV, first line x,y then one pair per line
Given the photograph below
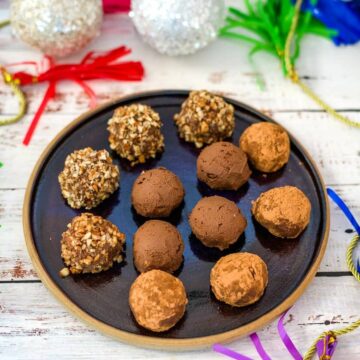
x,y
267,146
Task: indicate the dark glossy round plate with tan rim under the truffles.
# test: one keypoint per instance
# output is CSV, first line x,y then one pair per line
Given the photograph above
x,y
102,299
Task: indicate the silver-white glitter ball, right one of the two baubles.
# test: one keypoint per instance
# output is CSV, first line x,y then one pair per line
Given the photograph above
x,y
178,27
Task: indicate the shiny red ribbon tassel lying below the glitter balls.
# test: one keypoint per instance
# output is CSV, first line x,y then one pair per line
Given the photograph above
x,y
92,66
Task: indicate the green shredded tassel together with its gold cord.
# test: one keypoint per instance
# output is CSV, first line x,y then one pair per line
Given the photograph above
x,y
279,26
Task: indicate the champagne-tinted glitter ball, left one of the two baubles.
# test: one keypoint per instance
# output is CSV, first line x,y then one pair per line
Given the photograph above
x,y
56,27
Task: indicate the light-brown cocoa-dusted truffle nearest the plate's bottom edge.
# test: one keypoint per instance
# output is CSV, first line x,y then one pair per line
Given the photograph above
x,y
157,300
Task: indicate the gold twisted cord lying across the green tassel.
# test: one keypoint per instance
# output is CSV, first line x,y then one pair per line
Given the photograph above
x,y
295,77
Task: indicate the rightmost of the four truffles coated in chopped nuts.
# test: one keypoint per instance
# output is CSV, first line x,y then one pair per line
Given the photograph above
x,y
205,118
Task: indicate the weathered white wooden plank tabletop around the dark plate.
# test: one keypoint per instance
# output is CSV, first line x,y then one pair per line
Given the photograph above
x,y
34,325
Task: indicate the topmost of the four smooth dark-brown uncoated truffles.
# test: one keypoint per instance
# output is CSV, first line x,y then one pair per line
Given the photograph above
x,y
223,166
